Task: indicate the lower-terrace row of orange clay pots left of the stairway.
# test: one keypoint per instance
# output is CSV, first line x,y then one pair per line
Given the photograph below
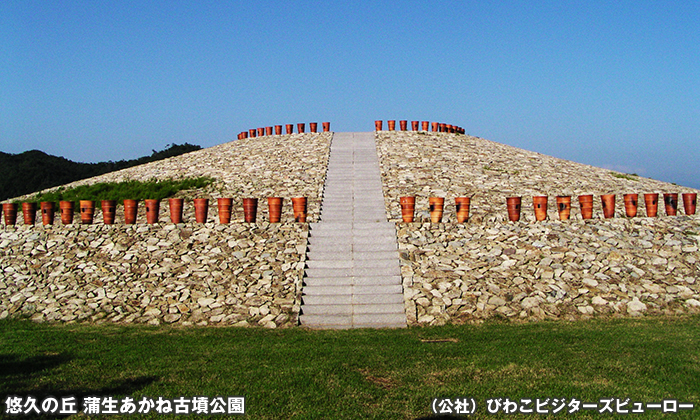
x,y
109,207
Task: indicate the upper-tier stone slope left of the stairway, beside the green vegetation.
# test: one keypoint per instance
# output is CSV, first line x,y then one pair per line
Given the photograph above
x,y
269,166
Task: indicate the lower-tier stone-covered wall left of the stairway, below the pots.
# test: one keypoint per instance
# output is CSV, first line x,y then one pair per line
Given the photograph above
x,y
237,274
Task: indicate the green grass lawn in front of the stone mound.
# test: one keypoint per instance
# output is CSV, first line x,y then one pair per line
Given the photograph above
x,y
360,374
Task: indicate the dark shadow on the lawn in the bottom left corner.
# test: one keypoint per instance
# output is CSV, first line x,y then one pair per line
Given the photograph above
x,y
22,377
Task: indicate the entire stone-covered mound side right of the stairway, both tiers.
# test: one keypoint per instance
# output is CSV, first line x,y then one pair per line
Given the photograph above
x,y
491,267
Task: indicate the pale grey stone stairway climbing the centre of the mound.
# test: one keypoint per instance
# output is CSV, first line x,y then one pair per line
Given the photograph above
x,y
352,279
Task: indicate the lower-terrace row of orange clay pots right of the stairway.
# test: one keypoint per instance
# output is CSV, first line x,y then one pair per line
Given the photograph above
x,y
563,206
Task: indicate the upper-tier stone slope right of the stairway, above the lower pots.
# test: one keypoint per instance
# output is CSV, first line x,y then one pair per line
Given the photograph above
x,y
452,165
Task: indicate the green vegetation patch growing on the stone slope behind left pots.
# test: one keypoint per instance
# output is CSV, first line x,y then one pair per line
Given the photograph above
x,y
135,190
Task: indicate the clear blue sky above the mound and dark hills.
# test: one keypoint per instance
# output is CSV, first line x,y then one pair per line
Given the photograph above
x,y
608,83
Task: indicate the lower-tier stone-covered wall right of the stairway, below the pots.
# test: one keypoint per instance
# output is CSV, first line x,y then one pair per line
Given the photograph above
x,y
567,270
